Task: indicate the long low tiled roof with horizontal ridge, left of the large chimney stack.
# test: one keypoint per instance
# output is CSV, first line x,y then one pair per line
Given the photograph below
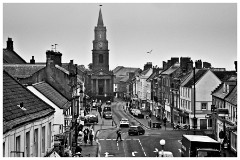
x,y
22,70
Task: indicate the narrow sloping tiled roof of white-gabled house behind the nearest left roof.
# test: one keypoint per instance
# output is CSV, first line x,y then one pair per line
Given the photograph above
x,y
52,94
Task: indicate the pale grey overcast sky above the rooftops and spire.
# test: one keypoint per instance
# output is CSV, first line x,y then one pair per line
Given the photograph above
x,y
200,31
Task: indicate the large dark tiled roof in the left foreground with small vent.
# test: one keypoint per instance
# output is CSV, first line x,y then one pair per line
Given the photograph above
x,y
13,94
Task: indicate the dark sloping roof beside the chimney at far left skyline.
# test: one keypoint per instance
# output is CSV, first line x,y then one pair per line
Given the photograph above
x,y
12,57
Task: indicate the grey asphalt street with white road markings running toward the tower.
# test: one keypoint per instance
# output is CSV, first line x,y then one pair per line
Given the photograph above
x,y
136,146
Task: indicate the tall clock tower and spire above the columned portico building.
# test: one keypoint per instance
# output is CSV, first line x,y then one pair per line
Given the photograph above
x,y
100,52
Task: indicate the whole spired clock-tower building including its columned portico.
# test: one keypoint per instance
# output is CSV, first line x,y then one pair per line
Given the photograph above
x,y
99,82
